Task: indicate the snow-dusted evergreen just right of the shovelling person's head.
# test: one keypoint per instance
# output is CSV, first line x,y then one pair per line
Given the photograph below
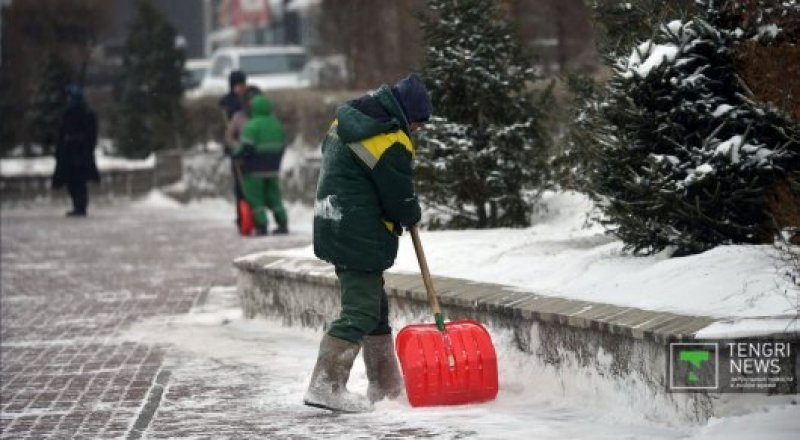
x,y
481,158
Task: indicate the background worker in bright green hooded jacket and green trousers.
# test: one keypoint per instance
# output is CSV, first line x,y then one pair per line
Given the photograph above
x,y
261,146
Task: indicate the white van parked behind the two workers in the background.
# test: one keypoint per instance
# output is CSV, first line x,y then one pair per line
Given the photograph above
x,y
267,67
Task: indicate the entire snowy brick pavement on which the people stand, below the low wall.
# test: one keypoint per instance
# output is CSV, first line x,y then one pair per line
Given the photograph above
x,y
126,325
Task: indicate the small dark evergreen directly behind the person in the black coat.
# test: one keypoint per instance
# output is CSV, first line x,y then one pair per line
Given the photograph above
x,y
48,101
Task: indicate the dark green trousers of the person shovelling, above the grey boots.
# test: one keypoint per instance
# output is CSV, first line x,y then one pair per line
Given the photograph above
x,y
365,308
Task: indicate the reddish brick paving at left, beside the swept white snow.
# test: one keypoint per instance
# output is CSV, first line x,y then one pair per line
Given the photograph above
x,y
72,287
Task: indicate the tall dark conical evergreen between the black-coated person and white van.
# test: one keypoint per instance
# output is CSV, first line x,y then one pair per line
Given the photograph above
x,y
150,115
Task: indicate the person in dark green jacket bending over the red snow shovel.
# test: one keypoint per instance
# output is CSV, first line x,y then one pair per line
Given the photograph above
x,y
365,196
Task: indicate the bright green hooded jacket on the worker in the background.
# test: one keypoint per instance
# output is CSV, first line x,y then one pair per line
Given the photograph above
x,y
262,141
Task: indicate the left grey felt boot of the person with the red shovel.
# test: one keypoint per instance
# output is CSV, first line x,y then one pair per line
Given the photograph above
x,y
328,387
